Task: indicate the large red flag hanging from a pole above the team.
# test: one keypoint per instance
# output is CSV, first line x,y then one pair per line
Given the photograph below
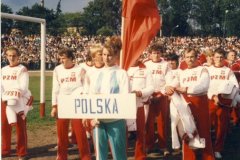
x,y
141,24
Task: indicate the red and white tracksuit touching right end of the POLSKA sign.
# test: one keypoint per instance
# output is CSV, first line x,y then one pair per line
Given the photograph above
x,y
140,79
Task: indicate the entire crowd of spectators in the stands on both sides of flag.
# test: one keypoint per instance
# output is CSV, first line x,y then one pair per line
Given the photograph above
x,y
29,47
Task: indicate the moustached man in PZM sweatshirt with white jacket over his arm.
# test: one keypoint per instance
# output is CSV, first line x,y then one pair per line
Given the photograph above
x,y
193,85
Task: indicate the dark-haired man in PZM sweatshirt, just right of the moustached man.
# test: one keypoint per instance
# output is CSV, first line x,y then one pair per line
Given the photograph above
x,y
219,114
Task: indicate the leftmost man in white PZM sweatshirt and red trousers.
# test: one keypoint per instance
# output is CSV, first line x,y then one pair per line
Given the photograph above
x,y
14,76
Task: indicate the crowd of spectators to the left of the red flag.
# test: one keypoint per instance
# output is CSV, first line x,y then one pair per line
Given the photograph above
x,y
29,47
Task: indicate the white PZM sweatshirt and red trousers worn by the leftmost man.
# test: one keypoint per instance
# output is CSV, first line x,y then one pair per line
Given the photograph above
x,y
16,77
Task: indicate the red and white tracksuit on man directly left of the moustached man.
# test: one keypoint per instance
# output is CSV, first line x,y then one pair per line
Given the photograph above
x,y
159,107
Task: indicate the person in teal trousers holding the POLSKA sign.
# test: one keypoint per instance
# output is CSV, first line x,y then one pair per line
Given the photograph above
x,y
110,80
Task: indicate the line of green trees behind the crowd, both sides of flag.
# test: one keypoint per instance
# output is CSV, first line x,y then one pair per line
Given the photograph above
x,y
103,17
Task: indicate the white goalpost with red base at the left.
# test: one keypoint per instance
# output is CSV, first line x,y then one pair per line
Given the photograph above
x,y
42,57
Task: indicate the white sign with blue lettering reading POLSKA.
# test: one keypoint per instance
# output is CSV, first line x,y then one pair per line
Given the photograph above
x,y
100,106
